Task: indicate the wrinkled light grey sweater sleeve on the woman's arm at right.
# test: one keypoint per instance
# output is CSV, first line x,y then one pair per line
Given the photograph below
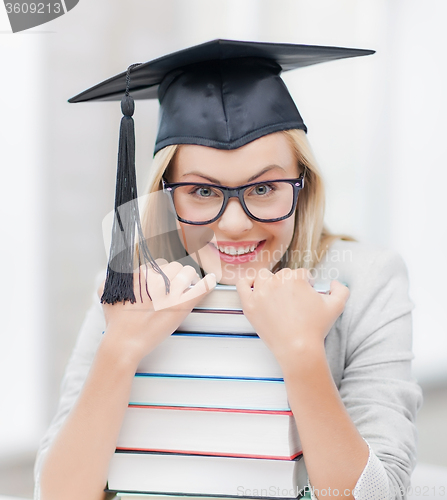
x,y
377,387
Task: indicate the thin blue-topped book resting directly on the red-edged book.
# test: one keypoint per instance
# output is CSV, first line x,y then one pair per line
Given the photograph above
x,y
209,392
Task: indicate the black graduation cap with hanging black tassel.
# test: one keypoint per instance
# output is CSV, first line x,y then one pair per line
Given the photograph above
x,y
222,94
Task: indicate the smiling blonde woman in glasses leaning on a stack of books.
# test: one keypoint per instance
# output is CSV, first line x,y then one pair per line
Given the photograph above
x,y
347,375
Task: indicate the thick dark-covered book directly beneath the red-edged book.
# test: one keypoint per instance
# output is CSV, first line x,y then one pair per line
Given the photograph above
x,y
198,475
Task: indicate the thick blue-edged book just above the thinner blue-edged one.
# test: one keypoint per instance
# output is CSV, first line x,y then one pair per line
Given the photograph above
x,y
212,355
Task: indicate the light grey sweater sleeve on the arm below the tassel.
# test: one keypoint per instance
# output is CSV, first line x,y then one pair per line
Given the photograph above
x,y
75,375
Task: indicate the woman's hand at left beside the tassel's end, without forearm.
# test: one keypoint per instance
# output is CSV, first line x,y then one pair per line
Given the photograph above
x,y
136,329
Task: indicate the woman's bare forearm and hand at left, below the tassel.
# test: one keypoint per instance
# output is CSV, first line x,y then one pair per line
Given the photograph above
x,y
77,462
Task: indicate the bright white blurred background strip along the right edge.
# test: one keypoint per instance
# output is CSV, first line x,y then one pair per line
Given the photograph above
x,y
418,207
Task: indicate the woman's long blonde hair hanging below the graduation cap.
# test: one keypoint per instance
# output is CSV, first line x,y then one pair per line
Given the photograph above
x,y
311,239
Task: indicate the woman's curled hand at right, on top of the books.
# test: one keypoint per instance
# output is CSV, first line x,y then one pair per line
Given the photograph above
x,y
287,313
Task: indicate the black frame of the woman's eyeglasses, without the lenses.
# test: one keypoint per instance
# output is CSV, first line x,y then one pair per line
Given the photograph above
x,y
235,192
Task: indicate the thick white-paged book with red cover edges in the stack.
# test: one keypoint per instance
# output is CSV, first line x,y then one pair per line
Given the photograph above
x,y
243,433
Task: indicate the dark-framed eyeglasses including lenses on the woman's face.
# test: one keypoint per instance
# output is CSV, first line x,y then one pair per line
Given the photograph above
x,y
266,201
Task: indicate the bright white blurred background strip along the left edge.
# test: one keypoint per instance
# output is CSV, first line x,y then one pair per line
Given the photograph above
x,y
22,348
